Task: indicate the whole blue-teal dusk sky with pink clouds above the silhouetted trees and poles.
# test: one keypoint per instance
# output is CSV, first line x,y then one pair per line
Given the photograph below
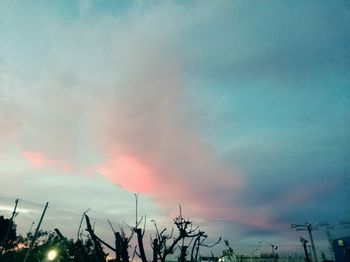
x,y
237,110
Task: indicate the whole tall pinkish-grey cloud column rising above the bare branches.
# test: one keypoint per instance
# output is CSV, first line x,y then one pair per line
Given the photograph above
x,y
150,142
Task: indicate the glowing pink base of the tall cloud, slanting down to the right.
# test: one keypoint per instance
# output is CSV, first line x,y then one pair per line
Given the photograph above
x,y
202,196
